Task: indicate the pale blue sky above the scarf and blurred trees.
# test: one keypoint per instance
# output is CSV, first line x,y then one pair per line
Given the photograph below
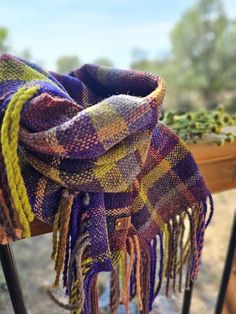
x,y
93,29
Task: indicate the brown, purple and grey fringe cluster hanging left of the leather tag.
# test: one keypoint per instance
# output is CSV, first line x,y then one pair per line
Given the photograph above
x,y
71,253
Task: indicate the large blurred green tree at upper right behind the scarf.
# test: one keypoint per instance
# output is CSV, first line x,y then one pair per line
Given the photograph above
x,y
203,46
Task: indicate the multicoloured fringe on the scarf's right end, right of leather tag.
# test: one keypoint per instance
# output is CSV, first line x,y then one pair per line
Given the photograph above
x,y
176,250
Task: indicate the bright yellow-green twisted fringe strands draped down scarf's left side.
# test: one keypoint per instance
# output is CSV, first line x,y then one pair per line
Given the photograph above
x,y
9,139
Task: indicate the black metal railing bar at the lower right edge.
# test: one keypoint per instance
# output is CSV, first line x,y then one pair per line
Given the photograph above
x,y
227,269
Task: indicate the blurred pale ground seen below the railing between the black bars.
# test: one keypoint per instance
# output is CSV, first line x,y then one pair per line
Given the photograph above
x,y
36,269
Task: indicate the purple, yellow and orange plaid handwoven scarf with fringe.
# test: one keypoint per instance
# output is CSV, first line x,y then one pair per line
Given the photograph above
x,y
86,153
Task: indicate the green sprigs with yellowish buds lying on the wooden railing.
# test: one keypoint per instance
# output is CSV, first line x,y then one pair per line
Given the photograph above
x,y
191,126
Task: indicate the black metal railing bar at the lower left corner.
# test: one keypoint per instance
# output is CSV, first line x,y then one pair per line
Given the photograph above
x,y
12,279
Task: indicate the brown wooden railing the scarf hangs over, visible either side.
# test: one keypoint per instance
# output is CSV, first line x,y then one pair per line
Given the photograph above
x,y
217,165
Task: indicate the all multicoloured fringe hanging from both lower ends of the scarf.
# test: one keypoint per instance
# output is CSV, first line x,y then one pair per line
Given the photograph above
x,y
141,271
